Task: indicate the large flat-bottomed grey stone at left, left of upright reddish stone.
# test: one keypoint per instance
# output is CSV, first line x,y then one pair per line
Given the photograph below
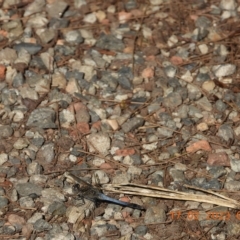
x,y
42,118
